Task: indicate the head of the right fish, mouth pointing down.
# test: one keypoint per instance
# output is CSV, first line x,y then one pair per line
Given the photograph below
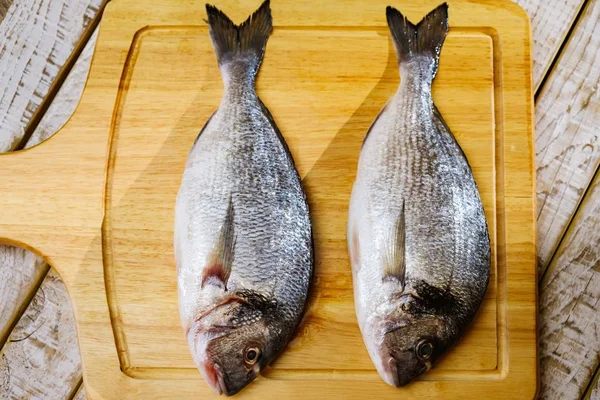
x,y
407,344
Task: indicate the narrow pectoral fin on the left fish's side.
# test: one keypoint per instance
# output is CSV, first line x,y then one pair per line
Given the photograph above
x,y
219,266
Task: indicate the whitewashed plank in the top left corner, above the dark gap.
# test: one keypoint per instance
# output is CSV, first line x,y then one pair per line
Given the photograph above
x,y
37,38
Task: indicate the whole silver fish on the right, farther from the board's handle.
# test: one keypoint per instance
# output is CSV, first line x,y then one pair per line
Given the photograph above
x,y
417,234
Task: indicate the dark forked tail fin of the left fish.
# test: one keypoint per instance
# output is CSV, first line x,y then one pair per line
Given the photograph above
x,y
247,40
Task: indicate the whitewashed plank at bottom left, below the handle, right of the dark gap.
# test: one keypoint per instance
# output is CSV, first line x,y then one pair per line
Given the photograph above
x,y
41,359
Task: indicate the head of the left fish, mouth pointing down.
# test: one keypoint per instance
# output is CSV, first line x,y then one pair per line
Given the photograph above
x,y
234,347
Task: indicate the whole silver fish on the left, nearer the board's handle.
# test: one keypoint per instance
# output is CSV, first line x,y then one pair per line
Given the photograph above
x,y
242,234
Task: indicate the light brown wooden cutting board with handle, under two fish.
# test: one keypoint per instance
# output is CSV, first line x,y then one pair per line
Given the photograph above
x,y
97,200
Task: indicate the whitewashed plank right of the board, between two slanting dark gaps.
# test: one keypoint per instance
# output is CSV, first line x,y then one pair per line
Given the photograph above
x,y
567,140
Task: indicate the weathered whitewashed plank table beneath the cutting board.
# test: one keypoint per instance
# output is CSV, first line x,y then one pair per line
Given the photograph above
x,y
46,52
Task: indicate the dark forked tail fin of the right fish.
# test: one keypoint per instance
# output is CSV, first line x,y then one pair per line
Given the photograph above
x,y
424,39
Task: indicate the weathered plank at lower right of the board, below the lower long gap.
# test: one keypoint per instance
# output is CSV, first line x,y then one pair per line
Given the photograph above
x,y
569,303
